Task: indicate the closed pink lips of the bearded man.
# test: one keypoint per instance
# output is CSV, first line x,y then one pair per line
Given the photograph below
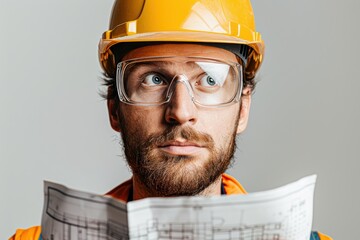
x,y
181,147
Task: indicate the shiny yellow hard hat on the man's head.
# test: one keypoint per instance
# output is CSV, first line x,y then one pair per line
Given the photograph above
x,y
196,21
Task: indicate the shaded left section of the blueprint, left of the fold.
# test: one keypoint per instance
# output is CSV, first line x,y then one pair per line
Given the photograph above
x,y
70,214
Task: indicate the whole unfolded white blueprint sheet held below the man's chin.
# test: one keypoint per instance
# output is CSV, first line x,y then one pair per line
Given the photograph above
x,y
283,213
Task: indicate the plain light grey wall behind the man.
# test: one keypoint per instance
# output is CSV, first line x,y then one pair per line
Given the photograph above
x,y
304,118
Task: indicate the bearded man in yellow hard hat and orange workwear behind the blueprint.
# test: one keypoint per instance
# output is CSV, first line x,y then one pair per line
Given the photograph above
x,y
180,75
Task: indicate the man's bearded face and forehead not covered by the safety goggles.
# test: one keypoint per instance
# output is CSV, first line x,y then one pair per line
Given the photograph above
x,y
178,148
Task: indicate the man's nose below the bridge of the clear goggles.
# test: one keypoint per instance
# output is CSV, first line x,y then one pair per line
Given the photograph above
x,y
181,109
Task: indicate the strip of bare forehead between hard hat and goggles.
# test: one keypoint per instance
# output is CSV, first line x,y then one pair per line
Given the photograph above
x,y
183,50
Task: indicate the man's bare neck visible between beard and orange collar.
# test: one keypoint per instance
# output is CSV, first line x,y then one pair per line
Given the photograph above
x,y
141,192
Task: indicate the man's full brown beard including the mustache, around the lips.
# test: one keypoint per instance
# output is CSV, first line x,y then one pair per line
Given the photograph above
x,y
175,175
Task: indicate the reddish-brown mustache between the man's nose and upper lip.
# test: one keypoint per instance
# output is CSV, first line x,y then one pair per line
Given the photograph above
x,y
187,133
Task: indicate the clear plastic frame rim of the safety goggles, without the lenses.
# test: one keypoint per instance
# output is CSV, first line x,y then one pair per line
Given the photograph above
x,y
121,66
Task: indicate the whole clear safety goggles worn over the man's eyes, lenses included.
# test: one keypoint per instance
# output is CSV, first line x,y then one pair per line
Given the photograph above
x,y
151,81
